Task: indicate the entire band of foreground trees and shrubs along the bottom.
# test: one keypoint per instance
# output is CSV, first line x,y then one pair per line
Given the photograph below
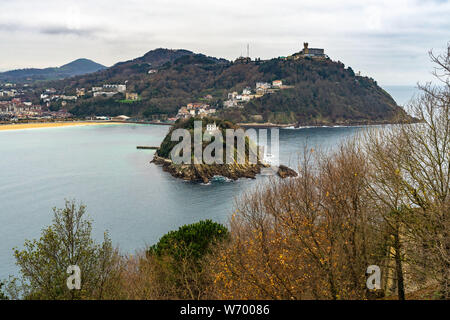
x,y
380,199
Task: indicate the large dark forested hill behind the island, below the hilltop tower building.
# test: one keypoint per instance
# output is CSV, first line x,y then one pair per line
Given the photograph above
x,y
322,91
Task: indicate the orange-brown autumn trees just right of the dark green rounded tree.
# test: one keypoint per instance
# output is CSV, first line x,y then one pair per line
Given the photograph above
x,y
310,237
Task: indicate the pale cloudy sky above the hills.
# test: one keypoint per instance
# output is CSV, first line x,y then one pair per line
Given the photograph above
x,y
387,40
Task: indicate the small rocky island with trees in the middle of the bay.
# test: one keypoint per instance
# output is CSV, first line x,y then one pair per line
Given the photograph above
x,y
203,172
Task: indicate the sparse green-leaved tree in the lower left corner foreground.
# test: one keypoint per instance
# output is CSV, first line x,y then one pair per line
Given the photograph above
x,y
43,263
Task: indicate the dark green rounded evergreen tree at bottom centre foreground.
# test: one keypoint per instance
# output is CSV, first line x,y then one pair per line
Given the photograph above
x,y
177,261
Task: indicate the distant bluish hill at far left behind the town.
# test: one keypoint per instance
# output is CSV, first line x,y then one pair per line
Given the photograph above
x,y
74,68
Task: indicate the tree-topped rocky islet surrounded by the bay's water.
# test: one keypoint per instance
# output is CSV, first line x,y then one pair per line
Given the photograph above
x,y
246,161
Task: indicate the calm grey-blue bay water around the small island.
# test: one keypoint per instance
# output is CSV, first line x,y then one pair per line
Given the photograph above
x,y
134,200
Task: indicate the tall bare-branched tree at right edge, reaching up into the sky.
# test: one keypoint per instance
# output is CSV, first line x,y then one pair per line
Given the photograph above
x,y
411,177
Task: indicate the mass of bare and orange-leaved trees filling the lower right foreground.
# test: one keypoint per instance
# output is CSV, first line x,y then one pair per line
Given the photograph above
x,y
382,199
